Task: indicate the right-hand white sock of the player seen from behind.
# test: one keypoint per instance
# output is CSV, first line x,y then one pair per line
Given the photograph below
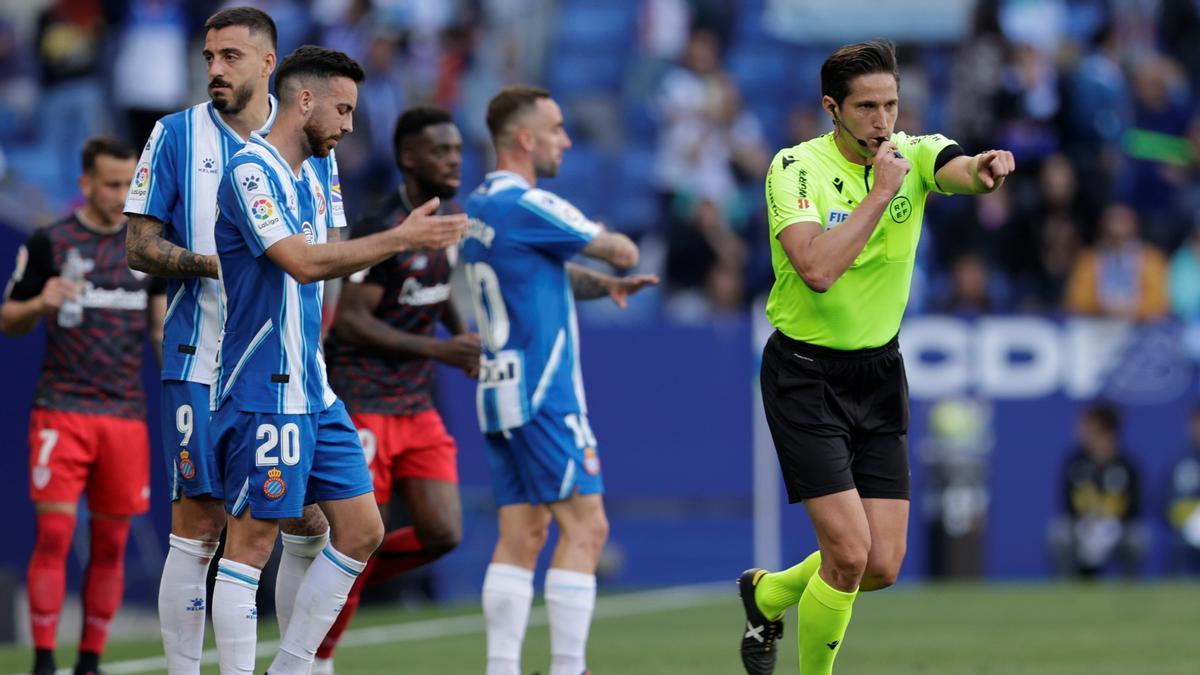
x,y
571,600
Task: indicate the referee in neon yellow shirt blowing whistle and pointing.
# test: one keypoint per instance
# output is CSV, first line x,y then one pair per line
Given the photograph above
x,y
845,213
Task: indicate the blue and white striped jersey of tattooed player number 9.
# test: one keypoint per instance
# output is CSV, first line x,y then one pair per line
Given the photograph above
x,y
176,182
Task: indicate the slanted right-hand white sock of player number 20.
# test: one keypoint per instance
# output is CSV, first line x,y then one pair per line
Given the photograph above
x,y
319,602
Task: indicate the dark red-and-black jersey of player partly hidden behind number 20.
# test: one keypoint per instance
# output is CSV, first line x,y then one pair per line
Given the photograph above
x,y
416,294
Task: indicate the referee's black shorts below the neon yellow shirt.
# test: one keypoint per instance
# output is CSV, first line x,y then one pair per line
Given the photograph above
x,y
839,419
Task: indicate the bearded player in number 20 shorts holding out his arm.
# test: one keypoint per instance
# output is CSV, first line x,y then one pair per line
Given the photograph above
x,y
280,434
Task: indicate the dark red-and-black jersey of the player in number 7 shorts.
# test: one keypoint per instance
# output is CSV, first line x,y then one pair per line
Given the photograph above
x,y
97,367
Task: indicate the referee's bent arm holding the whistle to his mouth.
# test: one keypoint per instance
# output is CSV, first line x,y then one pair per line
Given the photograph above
x,y
821,256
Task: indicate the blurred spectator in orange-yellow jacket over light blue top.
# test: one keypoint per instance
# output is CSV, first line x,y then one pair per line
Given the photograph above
x,y
1121,277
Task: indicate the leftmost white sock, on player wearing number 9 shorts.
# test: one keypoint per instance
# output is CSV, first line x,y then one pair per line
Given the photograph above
x,y
182,604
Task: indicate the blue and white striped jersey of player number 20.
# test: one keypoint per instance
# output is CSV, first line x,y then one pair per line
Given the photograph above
x,y
271,355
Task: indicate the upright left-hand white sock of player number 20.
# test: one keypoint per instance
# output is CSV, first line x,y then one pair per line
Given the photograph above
x,y
236,617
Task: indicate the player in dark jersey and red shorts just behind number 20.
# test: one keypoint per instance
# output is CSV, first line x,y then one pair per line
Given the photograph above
x,y
381,362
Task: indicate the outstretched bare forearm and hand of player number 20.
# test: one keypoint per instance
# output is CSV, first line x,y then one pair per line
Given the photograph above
x,y
421,231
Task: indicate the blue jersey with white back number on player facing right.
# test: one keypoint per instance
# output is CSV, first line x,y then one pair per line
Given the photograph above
x,y
515,255
